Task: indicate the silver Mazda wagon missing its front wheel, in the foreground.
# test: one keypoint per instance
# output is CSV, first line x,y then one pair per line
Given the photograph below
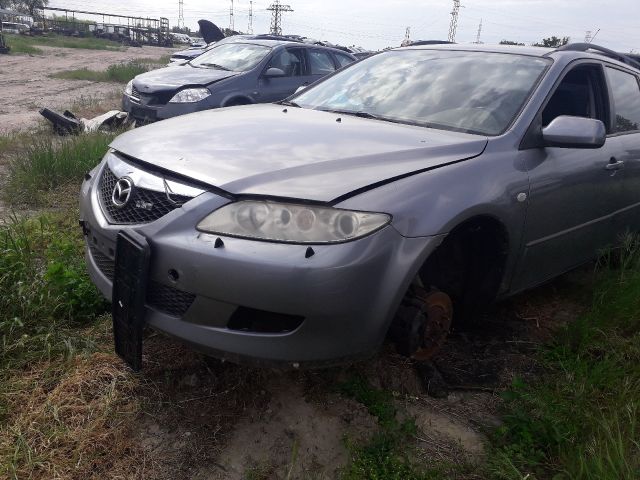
x,y
416,184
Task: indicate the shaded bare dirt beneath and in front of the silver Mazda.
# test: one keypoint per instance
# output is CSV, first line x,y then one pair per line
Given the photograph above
x,y
206,420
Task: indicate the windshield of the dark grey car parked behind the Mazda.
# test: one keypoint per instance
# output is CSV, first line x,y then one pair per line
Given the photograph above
x,y
237,57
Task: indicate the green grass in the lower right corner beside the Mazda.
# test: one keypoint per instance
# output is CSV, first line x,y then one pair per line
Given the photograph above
x,y
581,420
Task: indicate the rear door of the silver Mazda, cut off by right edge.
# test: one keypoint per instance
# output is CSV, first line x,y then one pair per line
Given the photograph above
x,y
624,88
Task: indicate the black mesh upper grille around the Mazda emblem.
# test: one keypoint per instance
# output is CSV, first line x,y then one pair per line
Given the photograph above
x,y
144,205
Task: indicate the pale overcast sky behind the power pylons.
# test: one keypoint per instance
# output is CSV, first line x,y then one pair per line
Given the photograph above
x,y
376,25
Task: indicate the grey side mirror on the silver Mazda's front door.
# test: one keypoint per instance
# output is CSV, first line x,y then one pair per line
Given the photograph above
x,y
574,132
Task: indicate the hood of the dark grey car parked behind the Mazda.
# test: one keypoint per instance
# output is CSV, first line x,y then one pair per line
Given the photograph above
x,y
170,78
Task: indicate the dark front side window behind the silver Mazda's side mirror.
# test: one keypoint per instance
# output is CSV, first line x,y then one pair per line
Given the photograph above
x,y
580,94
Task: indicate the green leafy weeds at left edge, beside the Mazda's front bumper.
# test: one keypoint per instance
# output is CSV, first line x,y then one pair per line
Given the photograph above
x,y
44,289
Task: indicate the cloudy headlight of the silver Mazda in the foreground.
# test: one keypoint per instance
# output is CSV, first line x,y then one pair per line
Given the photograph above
x,y
291,223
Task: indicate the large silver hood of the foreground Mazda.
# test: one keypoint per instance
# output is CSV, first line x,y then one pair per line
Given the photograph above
x,y
292,152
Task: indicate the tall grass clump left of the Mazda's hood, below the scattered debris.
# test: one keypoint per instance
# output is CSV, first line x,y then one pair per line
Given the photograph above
x,y
47,163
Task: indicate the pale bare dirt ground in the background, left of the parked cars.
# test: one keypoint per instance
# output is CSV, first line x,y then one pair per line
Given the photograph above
x,y
26,86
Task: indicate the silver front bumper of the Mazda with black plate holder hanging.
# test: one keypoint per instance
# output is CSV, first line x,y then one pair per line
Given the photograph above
x,y
335,305
